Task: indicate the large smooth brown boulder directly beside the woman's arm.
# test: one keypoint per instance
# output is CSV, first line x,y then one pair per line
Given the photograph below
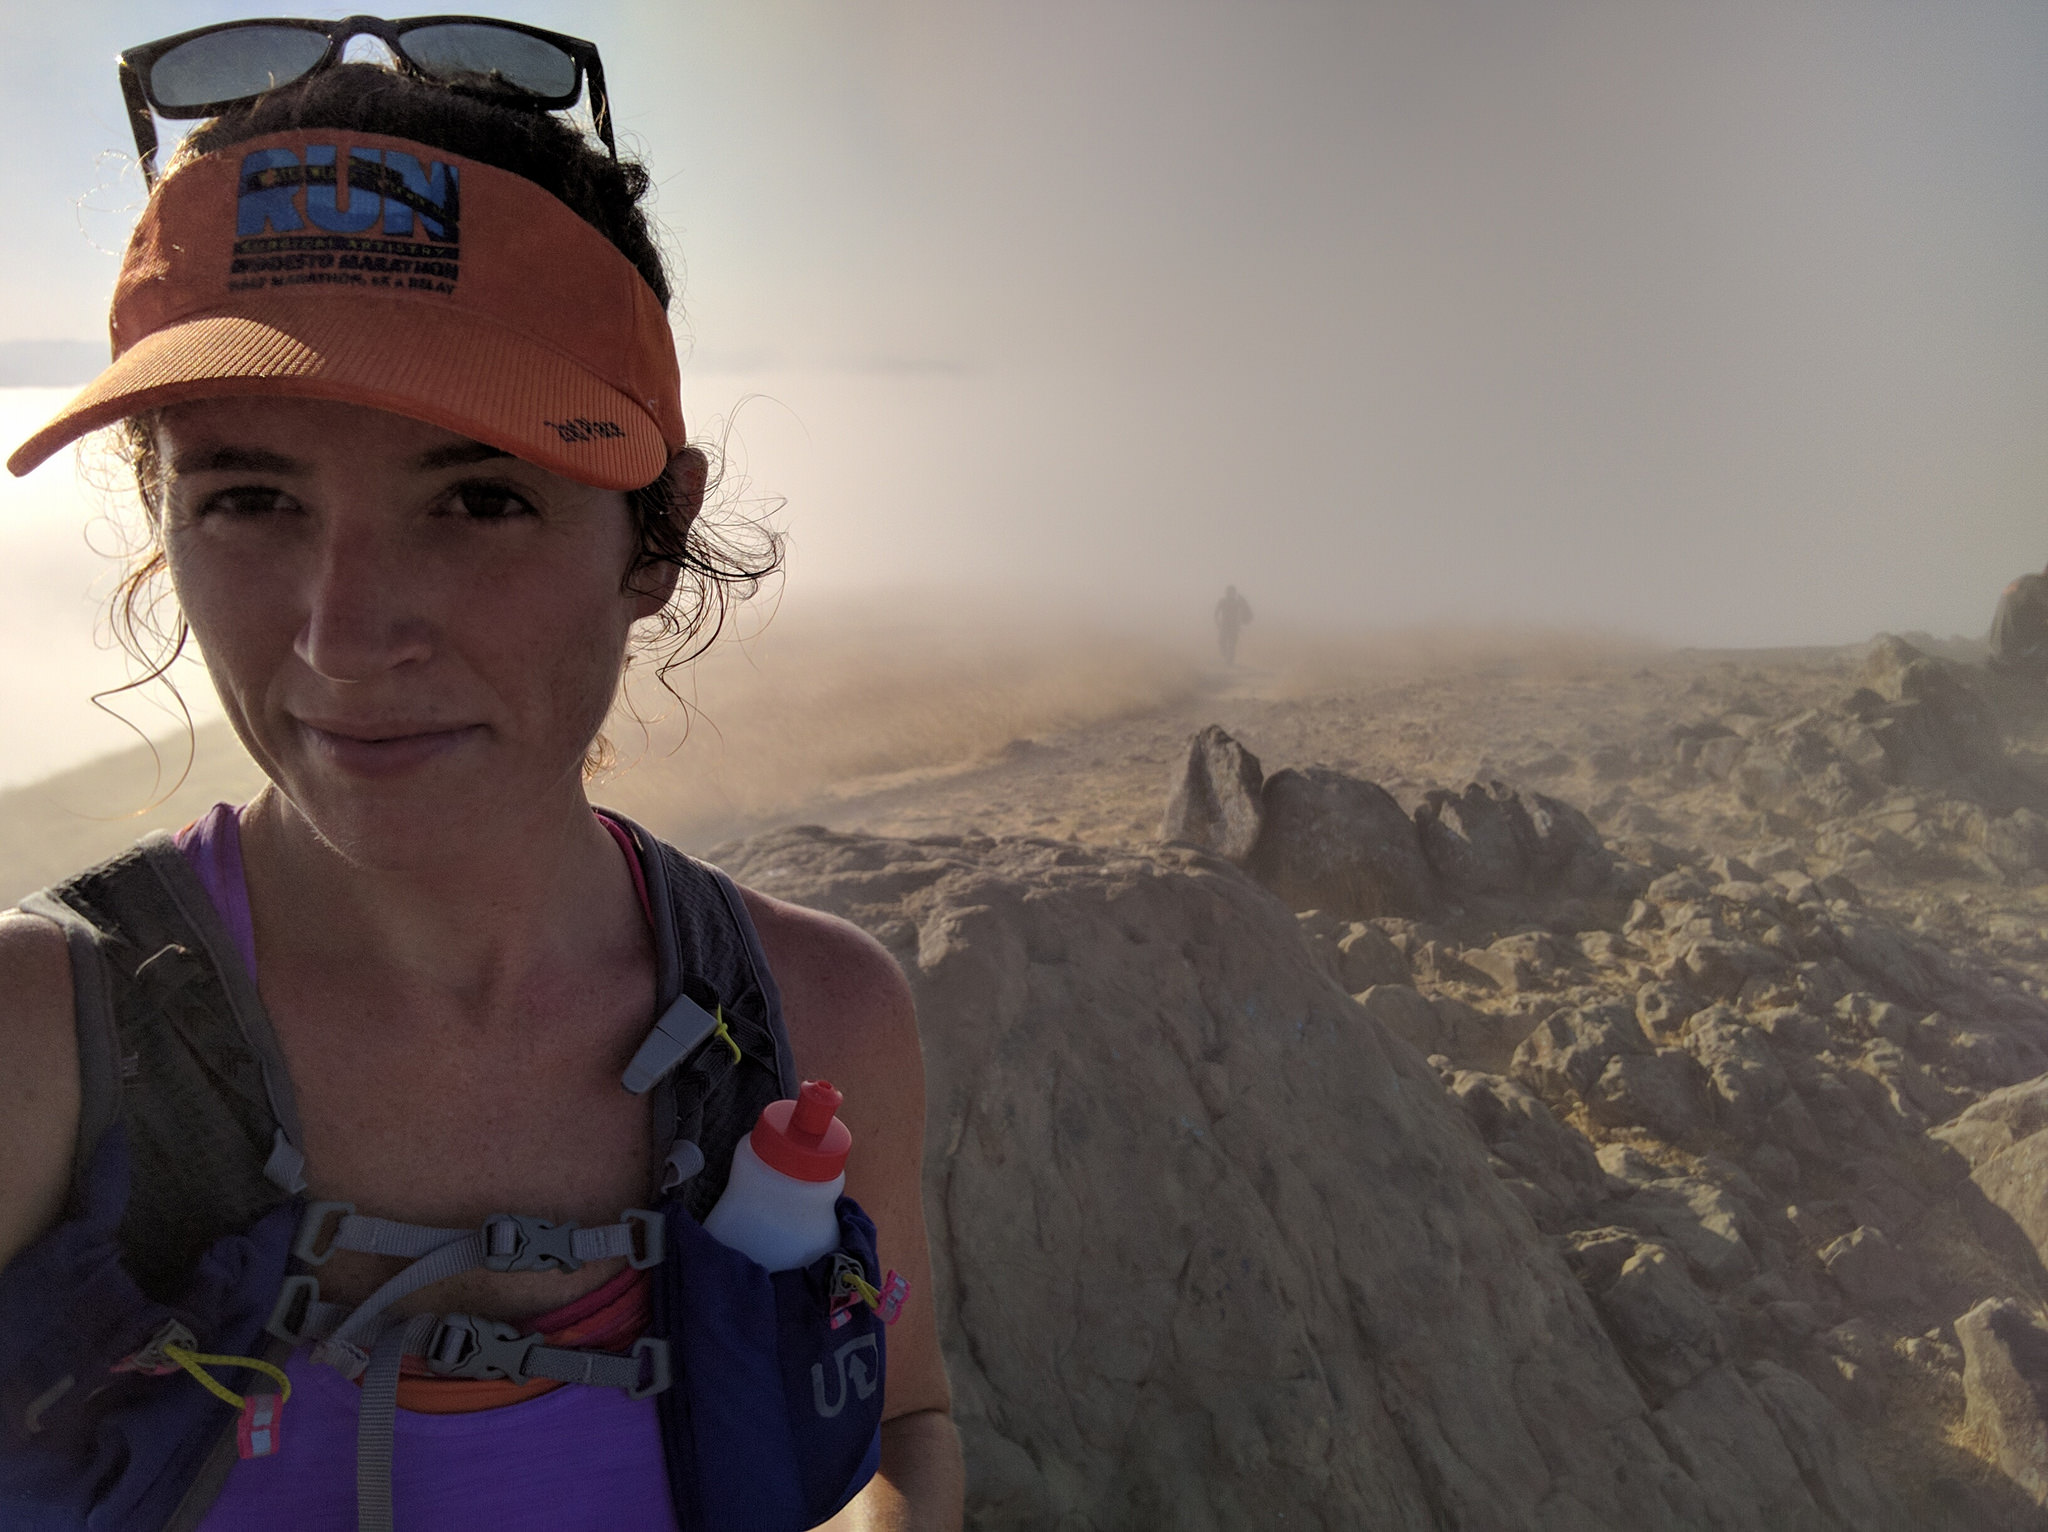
x,y
1218,1250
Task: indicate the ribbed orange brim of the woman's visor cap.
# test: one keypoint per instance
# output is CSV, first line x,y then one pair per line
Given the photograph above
x,y
415,359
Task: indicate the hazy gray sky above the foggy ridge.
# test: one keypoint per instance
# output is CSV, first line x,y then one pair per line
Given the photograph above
x,y
1717,323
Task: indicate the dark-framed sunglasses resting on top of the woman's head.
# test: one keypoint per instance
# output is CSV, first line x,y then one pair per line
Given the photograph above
x,y
214,69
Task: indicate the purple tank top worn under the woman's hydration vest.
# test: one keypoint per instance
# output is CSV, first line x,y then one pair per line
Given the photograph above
x,y
566,1461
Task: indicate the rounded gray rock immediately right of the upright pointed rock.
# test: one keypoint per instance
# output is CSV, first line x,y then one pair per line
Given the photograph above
x,y
1336,843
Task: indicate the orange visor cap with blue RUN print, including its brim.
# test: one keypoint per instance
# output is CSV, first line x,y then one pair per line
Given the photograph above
x,y
331,265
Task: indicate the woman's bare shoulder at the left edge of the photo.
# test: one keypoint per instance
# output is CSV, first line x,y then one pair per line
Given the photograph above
x,y
40,1087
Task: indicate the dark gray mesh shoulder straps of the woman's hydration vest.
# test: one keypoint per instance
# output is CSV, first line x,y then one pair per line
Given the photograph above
x,y
175,1048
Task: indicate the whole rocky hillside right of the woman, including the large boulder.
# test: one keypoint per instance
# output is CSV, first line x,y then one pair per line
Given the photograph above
x,y
1596,1095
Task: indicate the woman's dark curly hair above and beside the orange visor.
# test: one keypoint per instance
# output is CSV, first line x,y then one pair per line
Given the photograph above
x,y
720,562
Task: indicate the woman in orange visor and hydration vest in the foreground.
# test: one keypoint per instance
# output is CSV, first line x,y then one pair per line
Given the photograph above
x,y
300,1109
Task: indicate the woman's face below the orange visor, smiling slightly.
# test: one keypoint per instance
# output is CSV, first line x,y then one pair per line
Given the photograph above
x,y
415,634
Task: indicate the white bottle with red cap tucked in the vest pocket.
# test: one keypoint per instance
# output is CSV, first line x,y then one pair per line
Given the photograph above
x,y
787,1177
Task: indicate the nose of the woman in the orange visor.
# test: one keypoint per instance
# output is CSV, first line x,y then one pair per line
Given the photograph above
x,y
361,609
